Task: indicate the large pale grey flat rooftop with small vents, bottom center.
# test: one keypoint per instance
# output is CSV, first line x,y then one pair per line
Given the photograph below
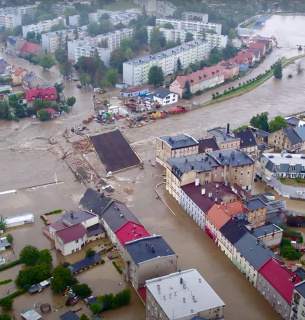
x,y
183,294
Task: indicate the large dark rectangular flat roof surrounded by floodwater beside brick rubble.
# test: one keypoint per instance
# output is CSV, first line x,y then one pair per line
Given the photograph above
x,y
114,151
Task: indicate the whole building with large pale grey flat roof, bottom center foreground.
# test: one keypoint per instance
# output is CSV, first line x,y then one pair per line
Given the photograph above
x,y
182,295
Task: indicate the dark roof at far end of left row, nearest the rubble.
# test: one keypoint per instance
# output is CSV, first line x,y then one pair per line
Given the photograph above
x,y
94,201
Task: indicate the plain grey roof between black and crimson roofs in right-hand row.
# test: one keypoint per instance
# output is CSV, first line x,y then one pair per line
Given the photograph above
x,y
255,254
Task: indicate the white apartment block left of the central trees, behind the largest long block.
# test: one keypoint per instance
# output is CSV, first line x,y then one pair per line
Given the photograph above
x,y
113,40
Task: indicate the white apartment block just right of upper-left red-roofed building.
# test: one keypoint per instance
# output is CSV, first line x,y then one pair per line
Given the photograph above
x,y
51,40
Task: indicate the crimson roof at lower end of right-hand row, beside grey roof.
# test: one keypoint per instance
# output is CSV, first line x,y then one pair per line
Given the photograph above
x,y
278,277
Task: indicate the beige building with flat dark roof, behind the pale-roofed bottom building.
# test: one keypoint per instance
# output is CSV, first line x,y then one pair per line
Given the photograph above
x,y
148,258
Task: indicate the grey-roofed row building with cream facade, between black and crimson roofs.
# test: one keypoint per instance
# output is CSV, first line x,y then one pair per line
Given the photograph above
x,y
249,255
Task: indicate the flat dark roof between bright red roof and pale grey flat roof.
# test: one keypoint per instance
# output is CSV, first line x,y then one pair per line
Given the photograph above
x,y
148,248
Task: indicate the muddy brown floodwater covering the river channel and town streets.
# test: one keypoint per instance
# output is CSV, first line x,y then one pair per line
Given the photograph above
x,y
31,153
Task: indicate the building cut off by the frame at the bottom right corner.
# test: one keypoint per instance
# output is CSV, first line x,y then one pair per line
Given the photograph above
x,y
298,302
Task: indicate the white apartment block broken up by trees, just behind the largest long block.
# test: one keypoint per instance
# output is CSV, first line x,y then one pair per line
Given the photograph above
x,y
213,40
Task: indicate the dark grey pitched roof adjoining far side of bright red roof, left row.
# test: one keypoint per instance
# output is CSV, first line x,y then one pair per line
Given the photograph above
x,y
117,214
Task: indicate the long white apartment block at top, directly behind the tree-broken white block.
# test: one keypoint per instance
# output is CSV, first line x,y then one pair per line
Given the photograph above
x,y
191,26
